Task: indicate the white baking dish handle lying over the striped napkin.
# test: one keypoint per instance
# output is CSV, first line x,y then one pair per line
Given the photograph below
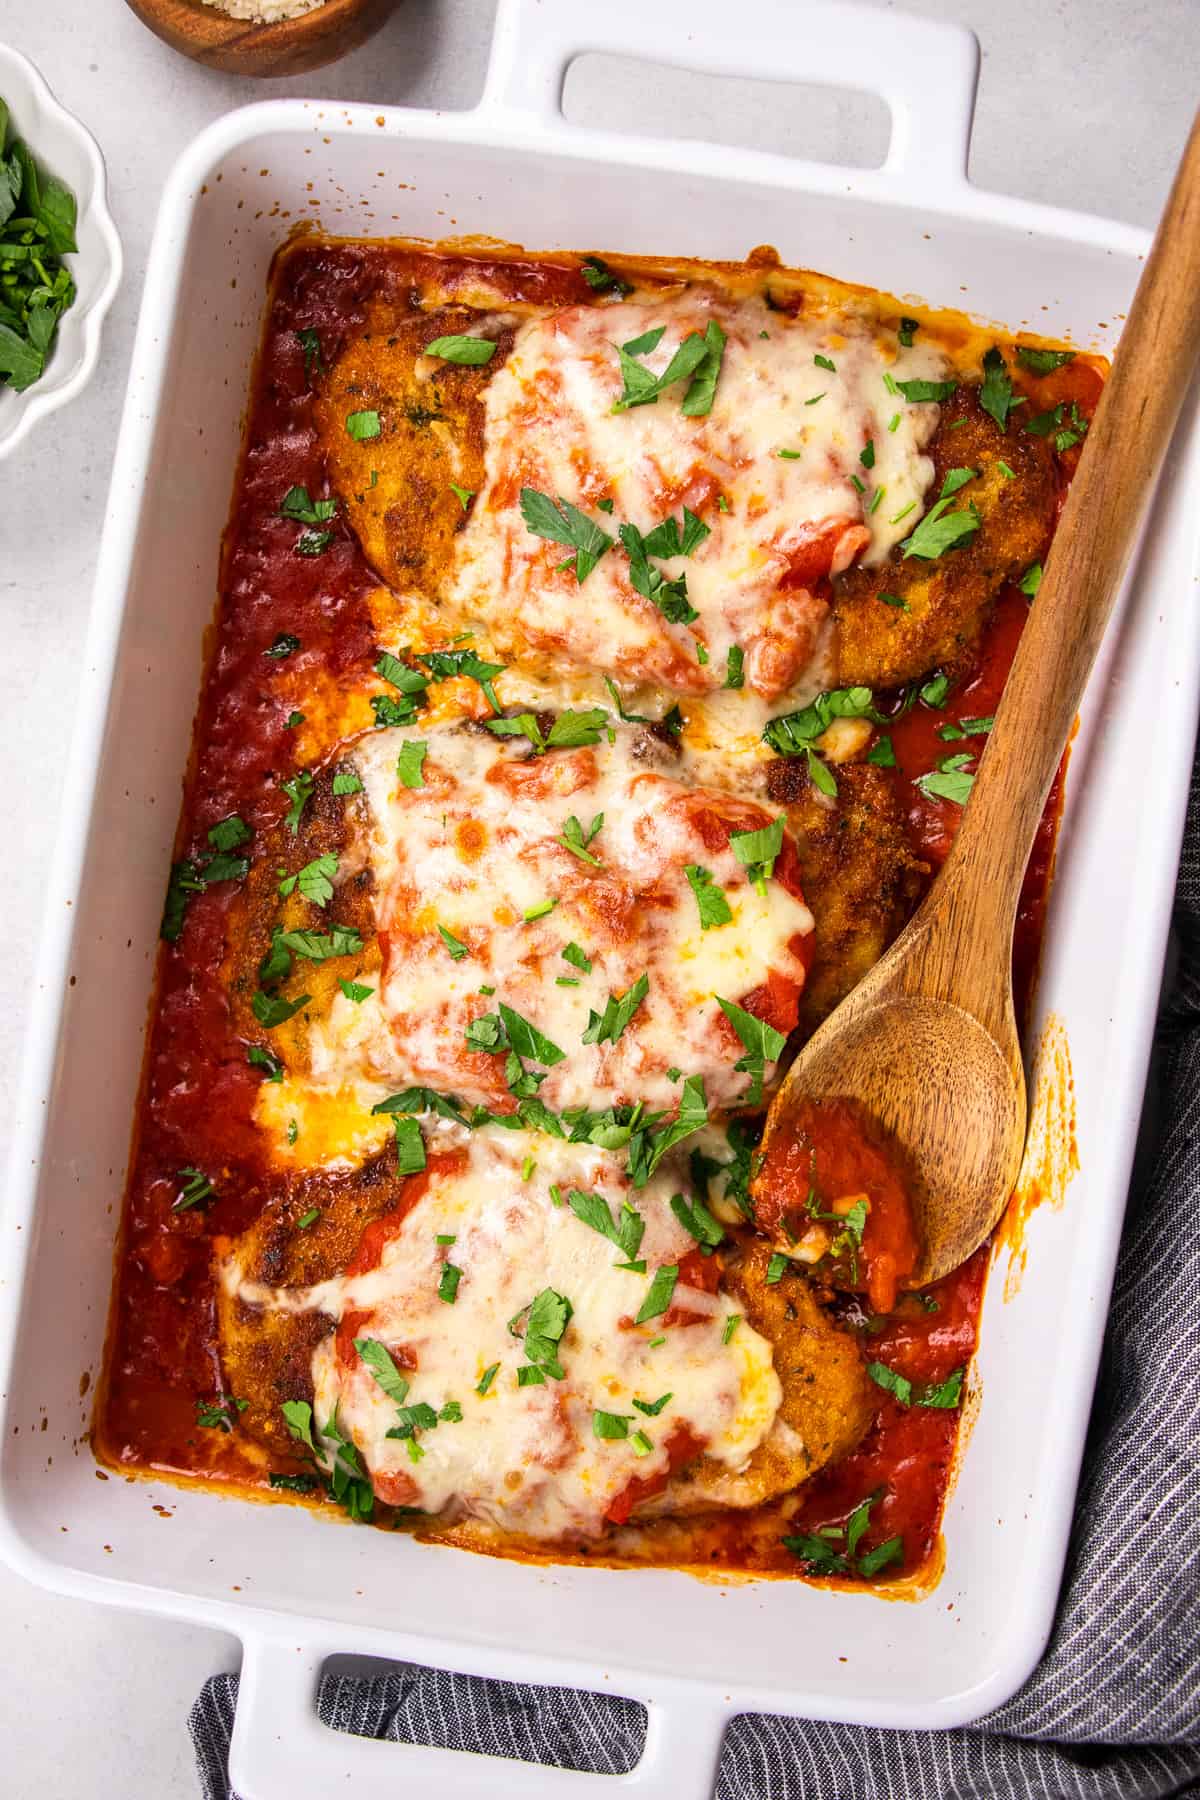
x,y
280,1749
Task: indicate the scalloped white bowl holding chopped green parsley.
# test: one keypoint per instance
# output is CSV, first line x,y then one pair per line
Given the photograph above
x,y
64,148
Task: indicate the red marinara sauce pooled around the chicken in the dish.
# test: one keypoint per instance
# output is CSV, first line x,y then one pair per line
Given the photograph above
x,y
199,1093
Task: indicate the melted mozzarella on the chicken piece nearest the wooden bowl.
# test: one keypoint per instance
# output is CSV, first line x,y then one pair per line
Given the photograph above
x,y
782,449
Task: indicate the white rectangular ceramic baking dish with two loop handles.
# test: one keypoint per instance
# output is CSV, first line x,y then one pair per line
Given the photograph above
x,y
296,1588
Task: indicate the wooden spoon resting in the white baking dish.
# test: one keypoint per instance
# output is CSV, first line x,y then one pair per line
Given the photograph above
x,y
927,1043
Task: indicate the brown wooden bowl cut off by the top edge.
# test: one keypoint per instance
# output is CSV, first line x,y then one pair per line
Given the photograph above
x,y
240,48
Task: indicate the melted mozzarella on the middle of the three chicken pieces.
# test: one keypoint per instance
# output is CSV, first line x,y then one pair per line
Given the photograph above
x,y
479,850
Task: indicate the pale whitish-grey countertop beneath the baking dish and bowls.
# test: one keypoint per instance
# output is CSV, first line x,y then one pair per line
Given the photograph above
x,y
1082,102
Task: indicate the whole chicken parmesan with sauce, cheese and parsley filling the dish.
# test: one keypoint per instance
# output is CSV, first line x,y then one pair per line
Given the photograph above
x,y
604,658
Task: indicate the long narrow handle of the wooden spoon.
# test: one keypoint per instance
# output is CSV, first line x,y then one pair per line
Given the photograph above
x,y
1109,496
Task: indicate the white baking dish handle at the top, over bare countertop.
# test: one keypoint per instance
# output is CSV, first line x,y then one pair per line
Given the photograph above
x,y
924,69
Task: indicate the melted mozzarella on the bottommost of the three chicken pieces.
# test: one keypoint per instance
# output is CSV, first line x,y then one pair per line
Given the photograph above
x,y
528,1457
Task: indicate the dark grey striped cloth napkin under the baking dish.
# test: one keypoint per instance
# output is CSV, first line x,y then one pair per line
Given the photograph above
x,y
1113,1713
